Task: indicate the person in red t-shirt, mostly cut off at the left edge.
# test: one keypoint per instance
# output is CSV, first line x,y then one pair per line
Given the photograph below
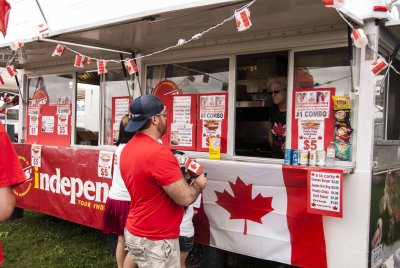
x,y
10,174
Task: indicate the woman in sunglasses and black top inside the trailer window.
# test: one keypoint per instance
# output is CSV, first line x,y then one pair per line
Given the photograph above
x,y
277,87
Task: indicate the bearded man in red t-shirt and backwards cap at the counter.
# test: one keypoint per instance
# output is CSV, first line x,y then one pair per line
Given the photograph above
x,y
157,188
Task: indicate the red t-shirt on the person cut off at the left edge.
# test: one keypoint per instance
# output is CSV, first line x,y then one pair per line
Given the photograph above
x,y
10,168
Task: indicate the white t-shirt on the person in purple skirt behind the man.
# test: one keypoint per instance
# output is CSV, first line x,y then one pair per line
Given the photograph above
x,y
118,189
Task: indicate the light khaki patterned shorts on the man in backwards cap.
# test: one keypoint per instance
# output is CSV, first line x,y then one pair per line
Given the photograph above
x,y
152,253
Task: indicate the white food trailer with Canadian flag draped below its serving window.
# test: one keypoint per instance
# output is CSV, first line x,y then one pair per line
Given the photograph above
x,y
306,41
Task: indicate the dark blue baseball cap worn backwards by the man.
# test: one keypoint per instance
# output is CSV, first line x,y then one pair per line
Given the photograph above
x,y
142,108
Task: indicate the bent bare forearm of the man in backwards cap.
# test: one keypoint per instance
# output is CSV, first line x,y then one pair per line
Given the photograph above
x,y
184,194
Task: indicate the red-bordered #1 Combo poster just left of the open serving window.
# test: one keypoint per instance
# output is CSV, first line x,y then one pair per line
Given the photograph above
x,y
212,120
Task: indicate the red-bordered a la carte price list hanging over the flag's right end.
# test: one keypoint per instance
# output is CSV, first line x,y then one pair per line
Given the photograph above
x,y
325,191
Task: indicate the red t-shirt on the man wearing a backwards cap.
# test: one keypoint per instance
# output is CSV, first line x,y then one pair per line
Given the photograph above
x,y
146,166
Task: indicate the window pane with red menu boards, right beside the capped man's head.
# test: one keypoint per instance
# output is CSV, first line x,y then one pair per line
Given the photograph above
x,y
196,97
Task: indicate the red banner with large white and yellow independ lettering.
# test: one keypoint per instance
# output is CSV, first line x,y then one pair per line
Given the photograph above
x,y
65,185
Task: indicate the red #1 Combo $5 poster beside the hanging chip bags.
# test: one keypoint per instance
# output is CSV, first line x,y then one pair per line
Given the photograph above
x,y
312,118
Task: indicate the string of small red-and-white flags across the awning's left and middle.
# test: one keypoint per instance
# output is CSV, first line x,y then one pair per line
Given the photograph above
x,y
241,15
